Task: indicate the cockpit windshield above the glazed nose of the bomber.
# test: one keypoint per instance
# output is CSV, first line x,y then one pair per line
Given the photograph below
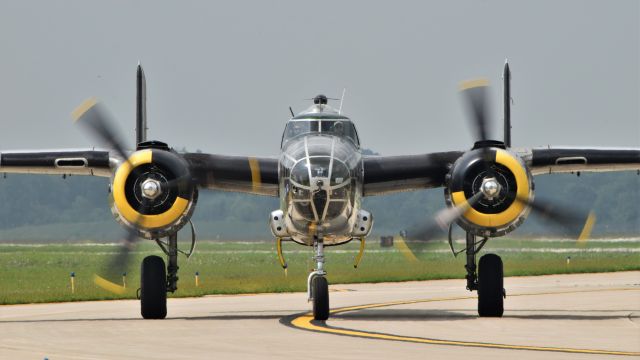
x,y
337,127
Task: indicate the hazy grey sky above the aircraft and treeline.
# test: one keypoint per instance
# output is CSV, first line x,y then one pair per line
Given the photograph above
x,y
221,74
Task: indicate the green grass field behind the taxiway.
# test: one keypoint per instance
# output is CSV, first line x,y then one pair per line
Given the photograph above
x,y
40,273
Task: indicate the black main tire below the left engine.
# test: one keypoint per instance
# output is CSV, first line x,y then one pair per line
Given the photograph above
x,y
153,288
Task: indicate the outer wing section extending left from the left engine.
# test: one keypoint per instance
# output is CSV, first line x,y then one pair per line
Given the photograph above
x,y
74,162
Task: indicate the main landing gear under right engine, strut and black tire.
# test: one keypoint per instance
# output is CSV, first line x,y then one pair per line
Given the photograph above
x,y
488,281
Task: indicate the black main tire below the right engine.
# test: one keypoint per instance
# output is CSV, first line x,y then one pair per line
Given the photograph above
x,y
490,286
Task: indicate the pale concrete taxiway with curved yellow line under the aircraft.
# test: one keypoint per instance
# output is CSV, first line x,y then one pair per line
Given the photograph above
x,y
553,317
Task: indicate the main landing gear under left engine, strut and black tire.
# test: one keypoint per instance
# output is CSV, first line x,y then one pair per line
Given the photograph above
x,y
155,282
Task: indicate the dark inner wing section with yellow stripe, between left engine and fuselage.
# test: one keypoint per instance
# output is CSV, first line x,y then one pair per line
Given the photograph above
x,y
254,175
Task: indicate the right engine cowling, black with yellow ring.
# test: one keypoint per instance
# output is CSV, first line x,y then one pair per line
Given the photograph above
x,y
502,213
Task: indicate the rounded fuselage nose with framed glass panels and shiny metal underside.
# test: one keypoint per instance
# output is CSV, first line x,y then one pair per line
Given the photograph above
x,y
320,188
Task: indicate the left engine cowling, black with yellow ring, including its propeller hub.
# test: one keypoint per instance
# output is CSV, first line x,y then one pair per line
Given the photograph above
x,y
153,193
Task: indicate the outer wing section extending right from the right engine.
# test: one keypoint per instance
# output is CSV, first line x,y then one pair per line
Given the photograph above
x,y
565,159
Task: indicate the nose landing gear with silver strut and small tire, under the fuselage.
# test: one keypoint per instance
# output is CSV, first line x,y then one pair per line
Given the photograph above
x,y
317,286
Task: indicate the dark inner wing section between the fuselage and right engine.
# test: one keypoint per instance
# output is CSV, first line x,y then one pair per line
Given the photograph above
x,y
389,174
